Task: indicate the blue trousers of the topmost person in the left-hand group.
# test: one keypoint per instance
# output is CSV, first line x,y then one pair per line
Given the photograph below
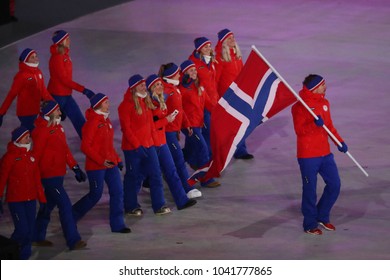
x,y
72,110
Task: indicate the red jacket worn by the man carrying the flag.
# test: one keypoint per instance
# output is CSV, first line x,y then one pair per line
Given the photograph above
x,y
312,141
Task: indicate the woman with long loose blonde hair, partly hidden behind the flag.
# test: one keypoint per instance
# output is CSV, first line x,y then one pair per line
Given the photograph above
x,y
229,65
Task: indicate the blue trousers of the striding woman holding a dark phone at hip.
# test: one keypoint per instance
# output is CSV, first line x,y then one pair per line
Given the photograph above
x,y
96,179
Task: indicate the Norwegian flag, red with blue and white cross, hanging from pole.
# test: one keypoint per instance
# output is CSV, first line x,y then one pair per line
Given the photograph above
x,y
255,96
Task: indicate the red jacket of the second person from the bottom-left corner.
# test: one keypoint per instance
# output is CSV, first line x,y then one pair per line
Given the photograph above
x,y
51,149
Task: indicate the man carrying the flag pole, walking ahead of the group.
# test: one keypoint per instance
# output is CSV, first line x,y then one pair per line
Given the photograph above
x,y
314,156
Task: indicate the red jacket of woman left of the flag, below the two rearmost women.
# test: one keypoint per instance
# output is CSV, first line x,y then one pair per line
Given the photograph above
x,y
194,104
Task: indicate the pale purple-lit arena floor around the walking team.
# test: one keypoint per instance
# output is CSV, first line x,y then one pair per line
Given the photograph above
x,y
255,214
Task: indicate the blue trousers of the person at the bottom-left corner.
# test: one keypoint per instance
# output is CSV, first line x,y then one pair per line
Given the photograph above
x,y
23,216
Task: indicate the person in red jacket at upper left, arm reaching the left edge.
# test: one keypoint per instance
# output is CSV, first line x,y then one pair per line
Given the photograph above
x,y
29,88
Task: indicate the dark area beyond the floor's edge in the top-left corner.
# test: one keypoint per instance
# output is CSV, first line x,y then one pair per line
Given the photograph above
x,y
37,15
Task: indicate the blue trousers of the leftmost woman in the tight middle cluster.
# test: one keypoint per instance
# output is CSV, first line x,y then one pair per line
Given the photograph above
x,y
139,166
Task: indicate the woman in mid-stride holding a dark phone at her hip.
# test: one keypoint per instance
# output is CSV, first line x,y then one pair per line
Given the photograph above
x,y
102,164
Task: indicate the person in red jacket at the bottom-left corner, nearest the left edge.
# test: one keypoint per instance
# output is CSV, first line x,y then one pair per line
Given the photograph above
x,y
20,173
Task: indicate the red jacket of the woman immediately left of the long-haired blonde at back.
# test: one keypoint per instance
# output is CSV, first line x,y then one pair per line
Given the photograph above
x,y
207,75
